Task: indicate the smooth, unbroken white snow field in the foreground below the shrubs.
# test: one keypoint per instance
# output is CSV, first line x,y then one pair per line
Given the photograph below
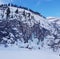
x,y
15,53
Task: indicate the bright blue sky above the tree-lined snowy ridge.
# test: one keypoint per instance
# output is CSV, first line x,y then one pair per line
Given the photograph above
x,y
48,8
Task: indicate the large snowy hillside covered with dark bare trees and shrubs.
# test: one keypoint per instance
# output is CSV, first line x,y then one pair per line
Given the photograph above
x,y
27,29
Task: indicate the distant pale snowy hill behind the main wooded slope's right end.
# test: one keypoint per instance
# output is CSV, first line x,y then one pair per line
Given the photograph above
x,y
55,22
